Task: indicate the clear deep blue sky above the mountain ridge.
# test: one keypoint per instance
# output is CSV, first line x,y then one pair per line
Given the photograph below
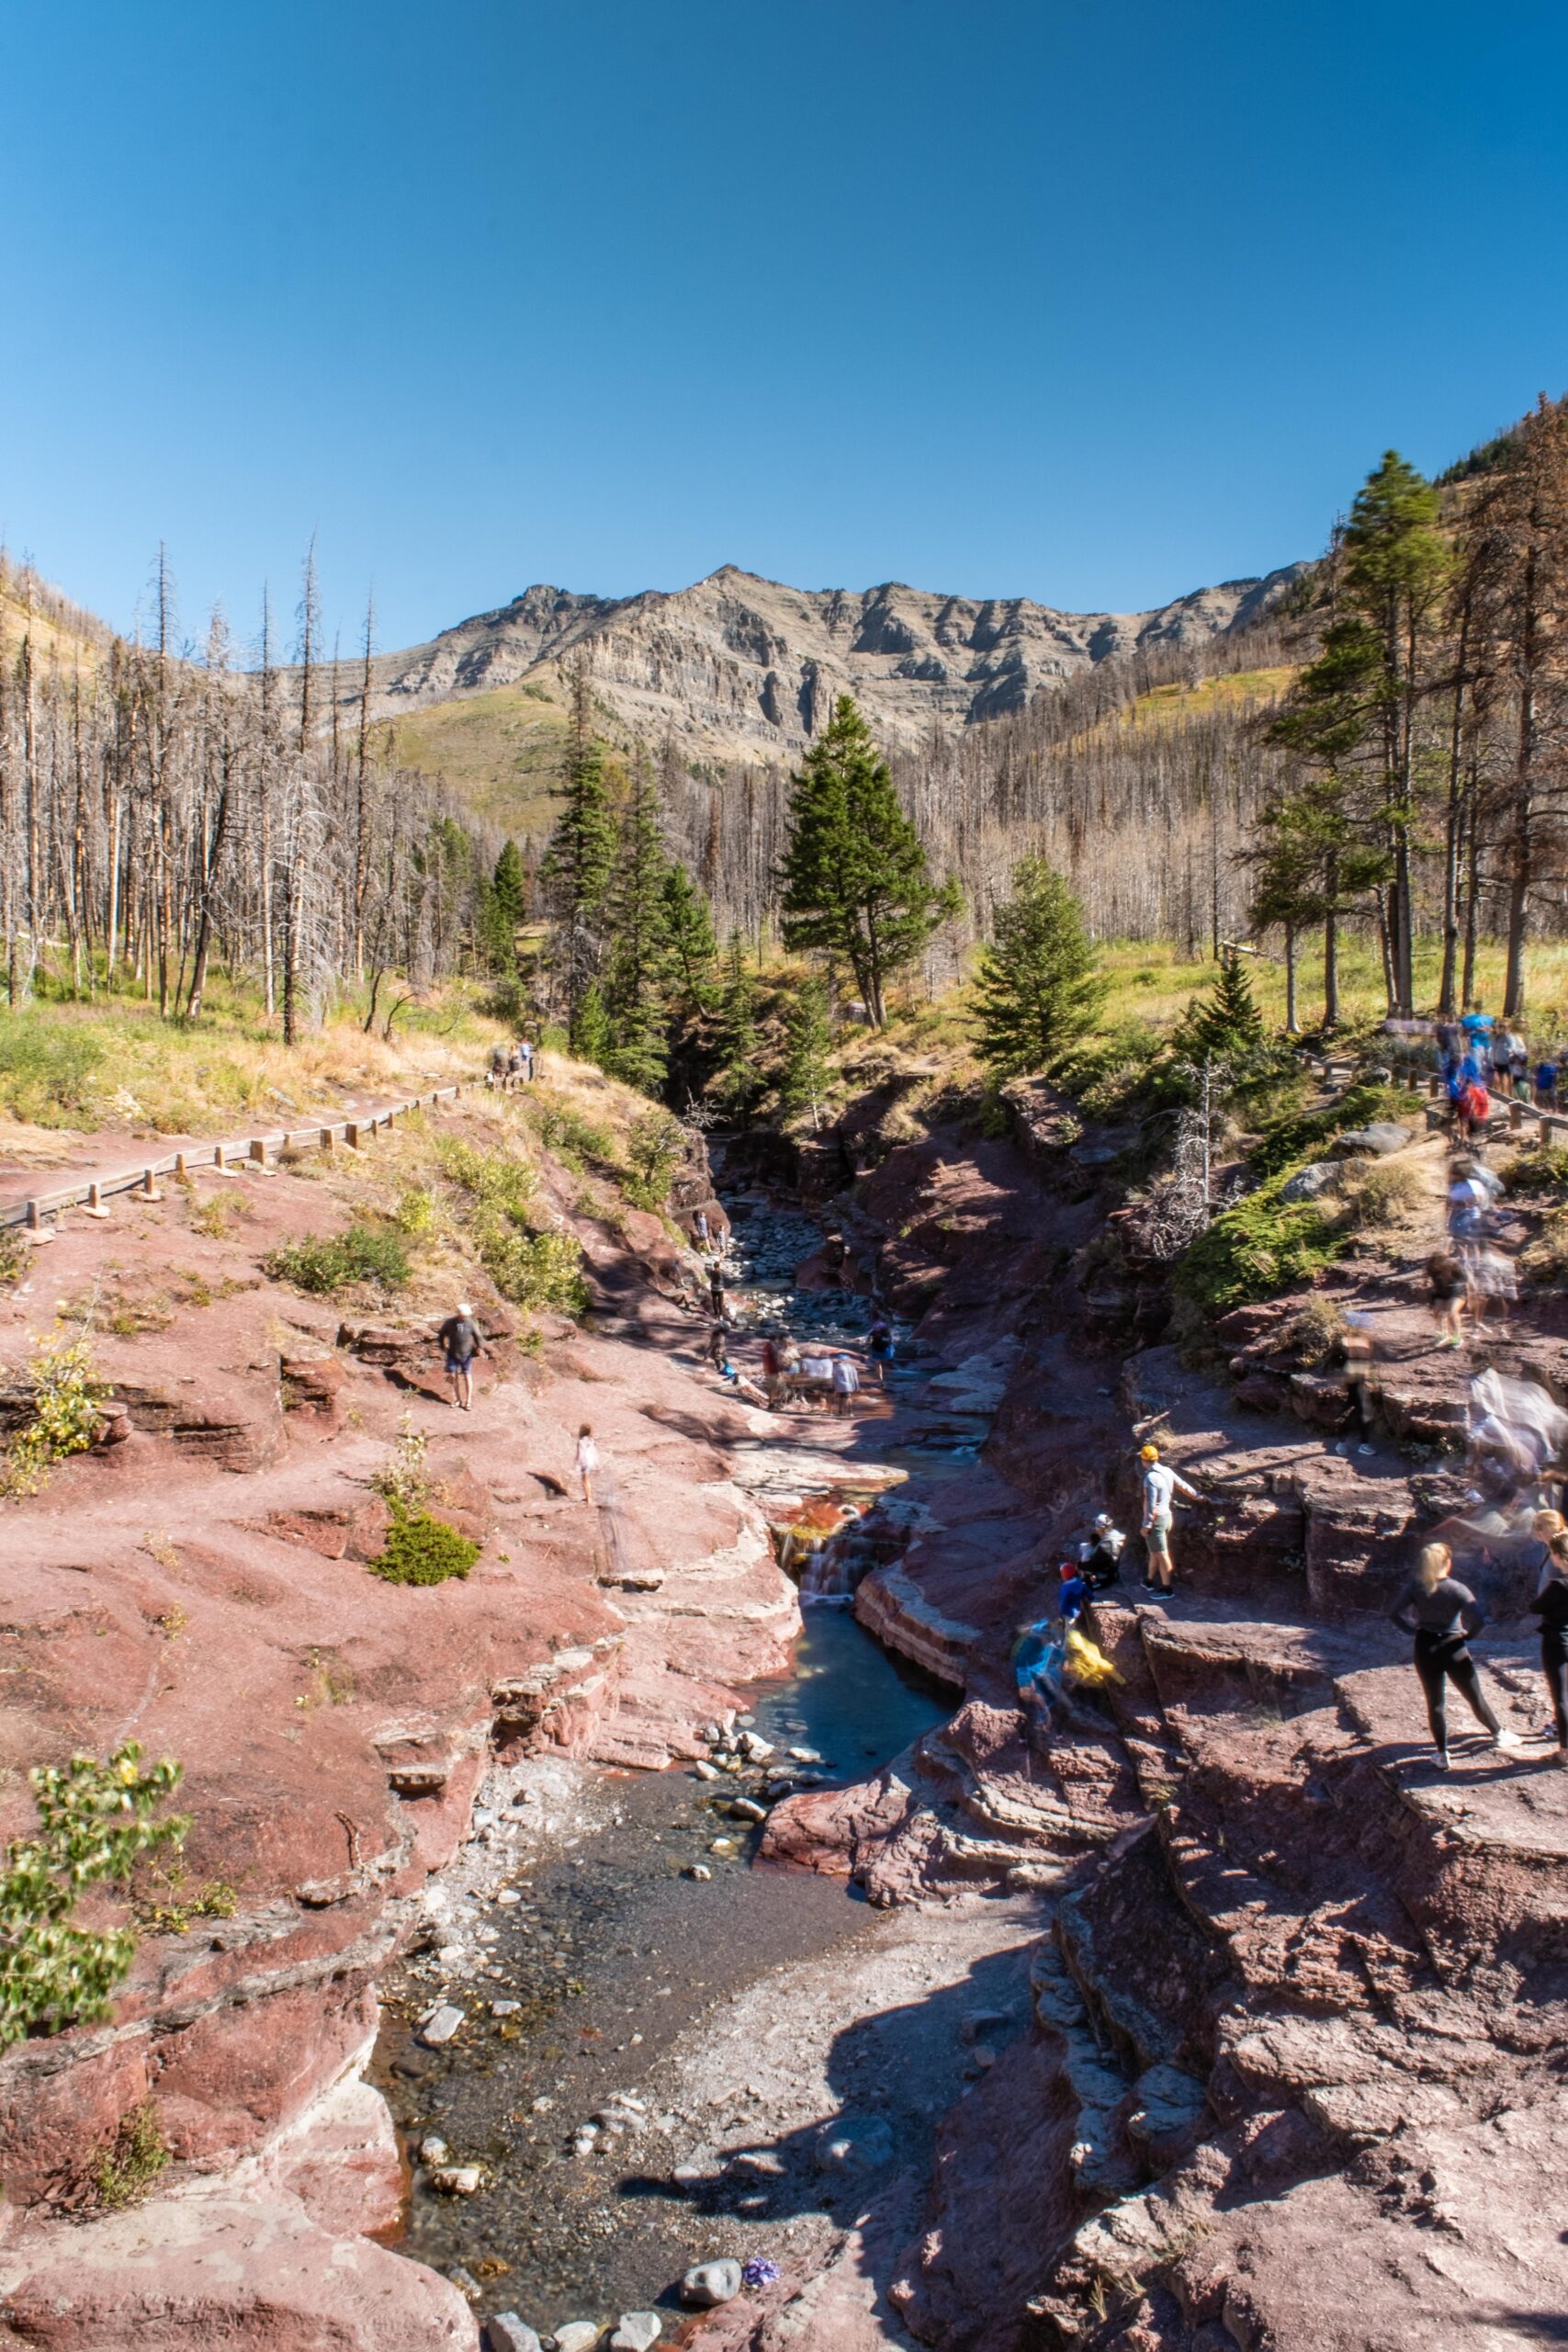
x,y
1050,298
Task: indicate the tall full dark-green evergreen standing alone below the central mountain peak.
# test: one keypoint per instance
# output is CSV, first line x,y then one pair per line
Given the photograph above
x,y
855,874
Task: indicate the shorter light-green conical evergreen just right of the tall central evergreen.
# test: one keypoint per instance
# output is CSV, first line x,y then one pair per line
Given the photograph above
x,y
1038,984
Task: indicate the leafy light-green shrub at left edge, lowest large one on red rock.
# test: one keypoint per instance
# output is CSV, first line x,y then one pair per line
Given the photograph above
x,y
95,1822
